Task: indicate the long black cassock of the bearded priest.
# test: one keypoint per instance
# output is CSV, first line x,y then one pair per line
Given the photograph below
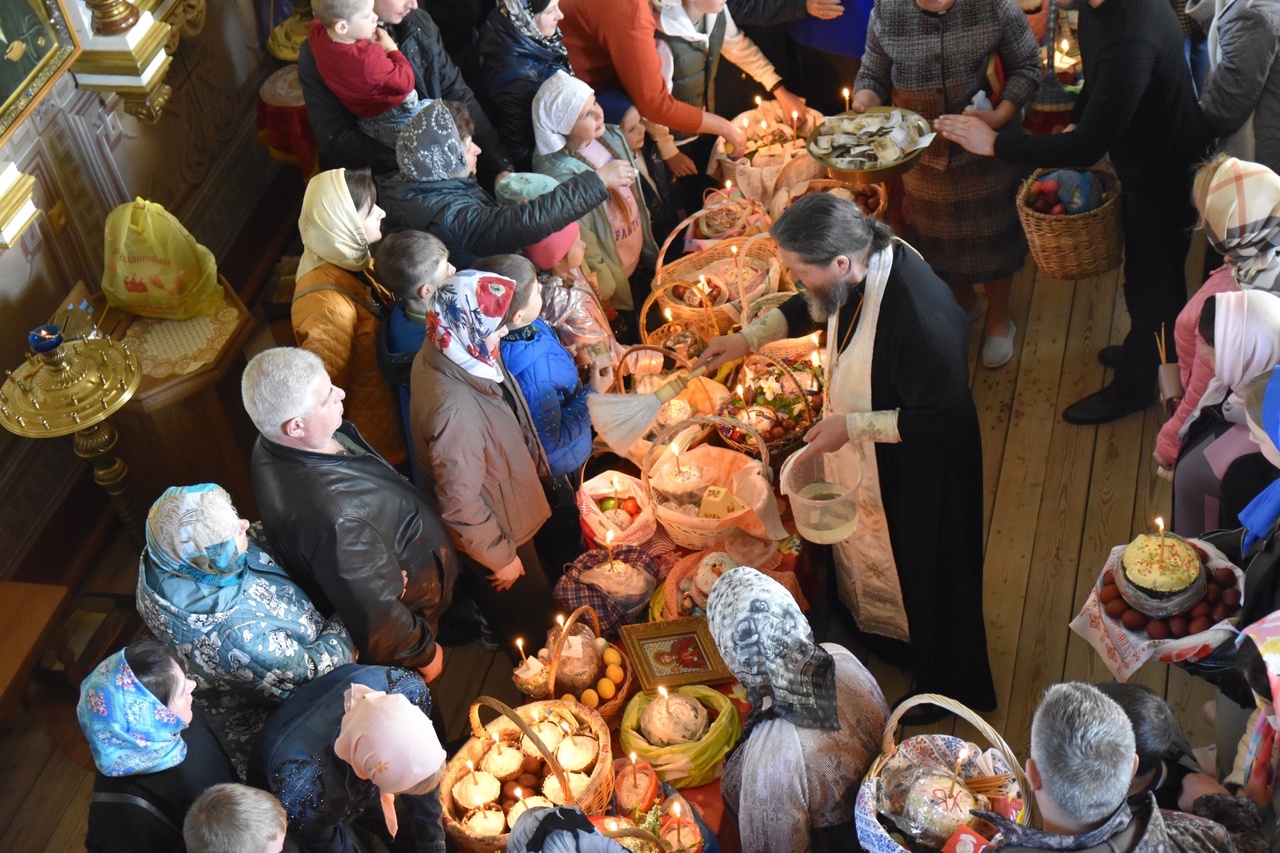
x,y
931,482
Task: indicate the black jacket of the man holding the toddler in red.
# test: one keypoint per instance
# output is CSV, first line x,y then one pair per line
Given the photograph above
x,y
344,144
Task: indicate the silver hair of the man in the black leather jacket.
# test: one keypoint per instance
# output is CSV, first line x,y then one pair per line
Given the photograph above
x,y
277,387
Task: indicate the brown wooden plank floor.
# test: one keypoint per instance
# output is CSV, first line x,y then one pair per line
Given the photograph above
x,y
1058,499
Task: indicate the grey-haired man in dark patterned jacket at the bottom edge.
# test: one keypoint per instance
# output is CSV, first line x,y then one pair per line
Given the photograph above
x,y
1082,760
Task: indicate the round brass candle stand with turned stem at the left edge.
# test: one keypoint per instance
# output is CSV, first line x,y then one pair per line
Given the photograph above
x,y
71,389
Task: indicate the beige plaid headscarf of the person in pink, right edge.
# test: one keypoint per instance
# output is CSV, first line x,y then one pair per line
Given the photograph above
x,y
1242,221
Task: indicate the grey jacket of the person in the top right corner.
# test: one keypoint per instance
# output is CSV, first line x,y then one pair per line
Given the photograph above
x,y
1245,79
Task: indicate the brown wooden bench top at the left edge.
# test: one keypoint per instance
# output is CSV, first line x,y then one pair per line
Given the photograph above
x,y
30,617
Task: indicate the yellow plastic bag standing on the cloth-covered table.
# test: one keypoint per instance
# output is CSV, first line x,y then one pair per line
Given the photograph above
x,y
156,268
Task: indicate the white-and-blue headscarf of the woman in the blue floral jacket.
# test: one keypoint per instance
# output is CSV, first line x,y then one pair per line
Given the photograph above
x,y
191,532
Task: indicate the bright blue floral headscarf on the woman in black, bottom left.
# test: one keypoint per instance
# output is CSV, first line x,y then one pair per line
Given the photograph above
x,y
129,729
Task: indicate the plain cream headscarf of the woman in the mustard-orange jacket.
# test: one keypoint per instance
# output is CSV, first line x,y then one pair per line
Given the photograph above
x,y
331,226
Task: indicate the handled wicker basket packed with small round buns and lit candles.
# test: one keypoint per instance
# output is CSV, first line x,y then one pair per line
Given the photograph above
x,y
538,756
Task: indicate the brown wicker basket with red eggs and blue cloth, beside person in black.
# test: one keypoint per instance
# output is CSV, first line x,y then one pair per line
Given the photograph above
x,y
1075,245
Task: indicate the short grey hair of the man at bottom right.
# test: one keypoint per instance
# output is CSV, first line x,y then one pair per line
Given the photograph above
x,y
1084,747
